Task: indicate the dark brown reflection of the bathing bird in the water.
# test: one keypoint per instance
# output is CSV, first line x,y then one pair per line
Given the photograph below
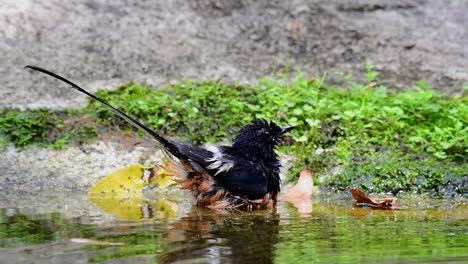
x,y
207,236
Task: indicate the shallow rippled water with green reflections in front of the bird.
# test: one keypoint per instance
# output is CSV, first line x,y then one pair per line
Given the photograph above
x,y
69,228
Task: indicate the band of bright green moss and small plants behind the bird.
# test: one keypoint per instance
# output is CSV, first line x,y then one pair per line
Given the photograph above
x,y
381,140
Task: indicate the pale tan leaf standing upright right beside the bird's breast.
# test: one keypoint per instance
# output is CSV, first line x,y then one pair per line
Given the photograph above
x,y
300,194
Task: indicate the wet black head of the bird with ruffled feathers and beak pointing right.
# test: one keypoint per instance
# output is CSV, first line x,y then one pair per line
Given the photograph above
x,y
260,136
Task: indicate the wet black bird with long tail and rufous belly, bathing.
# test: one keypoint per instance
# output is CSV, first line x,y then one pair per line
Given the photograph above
x,y
243,175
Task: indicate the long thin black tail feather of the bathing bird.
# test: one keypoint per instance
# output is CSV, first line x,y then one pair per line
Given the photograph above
x,y
164,143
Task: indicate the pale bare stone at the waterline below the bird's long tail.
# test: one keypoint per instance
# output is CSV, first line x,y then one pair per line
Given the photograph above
x,y
37,170
